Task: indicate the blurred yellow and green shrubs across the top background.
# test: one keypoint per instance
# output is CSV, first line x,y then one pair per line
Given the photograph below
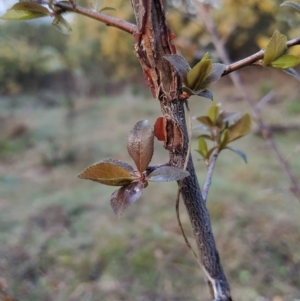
x,y
96,58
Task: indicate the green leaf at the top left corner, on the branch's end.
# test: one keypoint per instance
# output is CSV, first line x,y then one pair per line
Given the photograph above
x,y
25,11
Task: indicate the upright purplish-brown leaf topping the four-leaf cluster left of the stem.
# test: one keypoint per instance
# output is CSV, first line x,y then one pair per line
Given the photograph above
x,y
140,144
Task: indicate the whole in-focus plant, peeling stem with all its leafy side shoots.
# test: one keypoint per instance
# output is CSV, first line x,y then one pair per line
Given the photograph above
x,y
172,81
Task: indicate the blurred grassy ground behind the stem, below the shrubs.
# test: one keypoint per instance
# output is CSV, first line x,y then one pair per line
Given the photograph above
x,y
60,241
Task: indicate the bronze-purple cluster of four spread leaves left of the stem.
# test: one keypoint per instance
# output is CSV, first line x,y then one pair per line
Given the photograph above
x,y
114,172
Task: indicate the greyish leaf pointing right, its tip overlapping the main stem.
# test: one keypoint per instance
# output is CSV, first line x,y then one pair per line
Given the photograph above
x,y
167,174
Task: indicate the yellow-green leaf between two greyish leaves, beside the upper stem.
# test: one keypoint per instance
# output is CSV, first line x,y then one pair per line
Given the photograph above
x,y
195,79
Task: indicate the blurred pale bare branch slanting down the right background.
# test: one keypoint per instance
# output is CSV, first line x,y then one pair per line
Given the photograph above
x,y
204,13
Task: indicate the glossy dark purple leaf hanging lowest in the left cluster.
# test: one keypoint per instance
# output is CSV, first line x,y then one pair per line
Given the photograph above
x,y
125,196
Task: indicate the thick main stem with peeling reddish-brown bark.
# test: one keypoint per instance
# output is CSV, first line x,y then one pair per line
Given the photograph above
x,y
153,41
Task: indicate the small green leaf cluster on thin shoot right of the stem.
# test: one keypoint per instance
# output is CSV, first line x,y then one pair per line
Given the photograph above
x,y
222,128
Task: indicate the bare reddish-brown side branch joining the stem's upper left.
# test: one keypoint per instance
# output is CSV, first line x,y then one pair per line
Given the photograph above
x,y
108,20
